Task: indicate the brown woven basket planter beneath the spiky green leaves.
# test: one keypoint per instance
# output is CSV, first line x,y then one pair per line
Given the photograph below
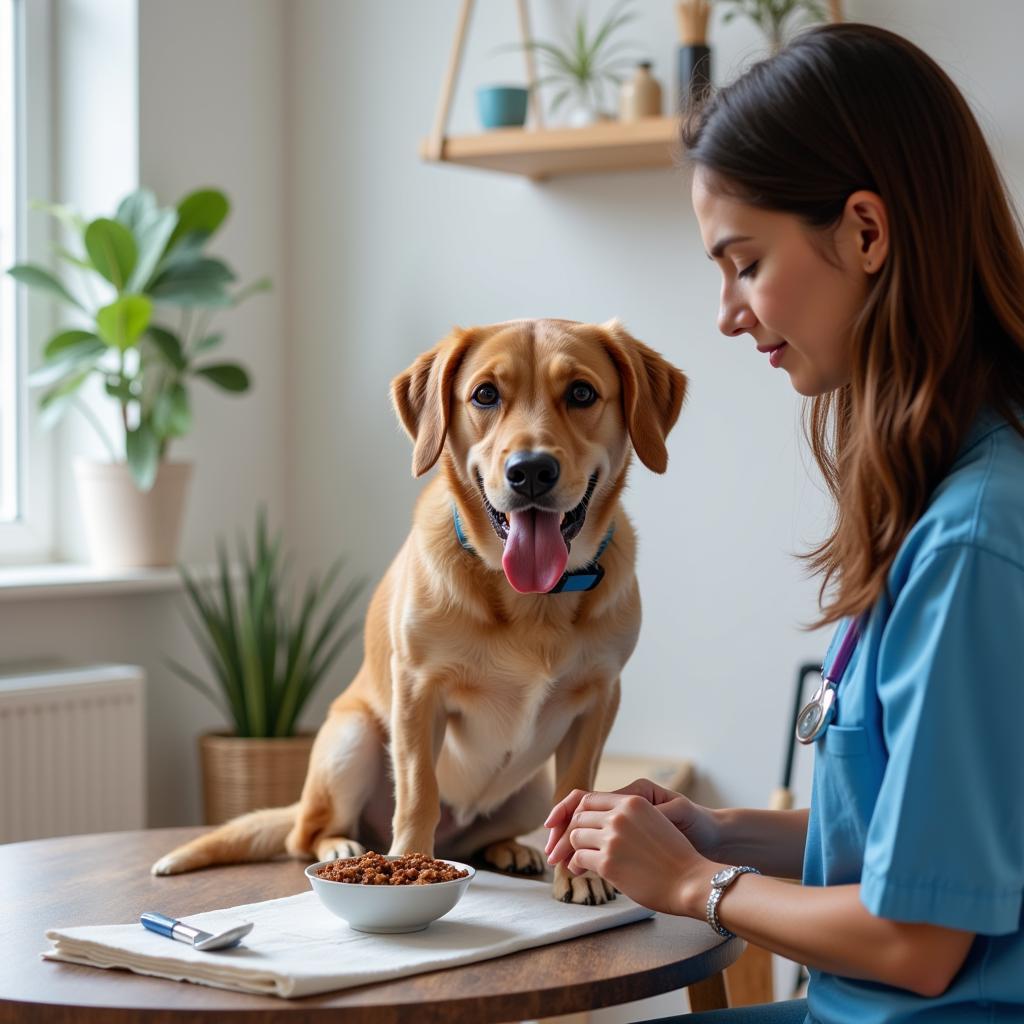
x,y
243,775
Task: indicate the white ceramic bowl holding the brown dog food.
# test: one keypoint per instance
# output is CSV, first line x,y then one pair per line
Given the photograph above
x,y
390,909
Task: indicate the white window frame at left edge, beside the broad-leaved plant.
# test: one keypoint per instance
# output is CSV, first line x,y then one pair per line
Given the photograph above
x,y
29,538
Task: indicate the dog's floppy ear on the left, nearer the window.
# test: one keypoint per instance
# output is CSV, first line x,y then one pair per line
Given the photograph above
x,y
422,398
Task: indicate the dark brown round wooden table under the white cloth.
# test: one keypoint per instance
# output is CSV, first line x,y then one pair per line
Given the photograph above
x,y
105,880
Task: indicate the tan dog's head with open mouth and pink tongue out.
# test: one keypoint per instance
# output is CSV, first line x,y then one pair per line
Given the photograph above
x,y
537,419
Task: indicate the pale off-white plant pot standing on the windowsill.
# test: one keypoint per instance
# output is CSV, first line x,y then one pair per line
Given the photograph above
x,y
125,527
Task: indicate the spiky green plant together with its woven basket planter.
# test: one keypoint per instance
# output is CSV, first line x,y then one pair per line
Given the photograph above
x,y
267,659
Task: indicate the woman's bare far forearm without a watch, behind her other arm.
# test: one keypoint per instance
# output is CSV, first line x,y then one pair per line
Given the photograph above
x,y
772,841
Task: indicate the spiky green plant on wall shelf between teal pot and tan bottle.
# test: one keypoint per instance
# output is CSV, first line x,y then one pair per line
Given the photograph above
x,y
587,64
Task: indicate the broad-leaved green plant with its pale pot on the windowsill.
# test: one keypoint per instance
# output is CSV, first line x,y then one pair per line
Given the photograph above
x,y
136,270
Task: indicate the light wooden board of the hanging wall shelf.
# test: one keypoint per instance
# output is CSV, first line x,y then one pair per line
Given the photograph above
x,y
540,154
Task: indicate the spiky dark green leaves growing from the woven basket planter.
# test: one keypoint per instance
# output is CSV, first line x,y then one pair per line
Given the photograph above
x,y
267,659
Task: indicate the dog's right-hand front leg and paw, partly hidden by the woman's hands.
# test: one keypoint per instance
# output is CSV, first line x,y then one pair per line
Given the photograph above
x,y
576,766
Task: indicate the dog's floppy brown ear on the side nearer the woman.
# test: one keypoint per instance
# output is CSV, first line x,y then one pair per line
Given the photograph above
x,y
653,394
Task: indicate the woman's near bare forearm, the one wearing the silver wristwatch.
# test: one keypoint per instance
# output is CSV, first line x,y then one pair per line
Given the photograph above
x,y
830,929
